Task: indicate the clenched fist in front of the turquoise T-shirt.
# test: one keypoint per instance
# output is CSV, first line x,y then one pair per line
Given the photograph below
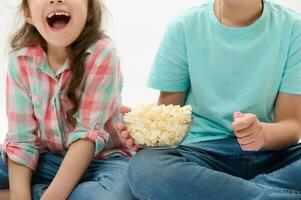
x,y
249,131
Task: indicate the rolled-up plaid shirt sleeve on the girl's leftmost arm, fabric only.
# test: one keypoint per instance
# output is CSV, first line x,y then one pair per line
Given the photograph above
x,y
21,143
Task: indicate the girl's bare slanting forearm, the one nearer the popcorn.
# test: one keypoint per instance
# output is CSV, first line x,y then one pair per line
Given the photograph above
x,y
74,165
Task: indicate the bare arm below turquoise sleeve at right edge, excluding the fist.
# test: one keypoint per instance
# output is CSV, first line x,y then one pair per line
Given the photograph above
x,y
286,130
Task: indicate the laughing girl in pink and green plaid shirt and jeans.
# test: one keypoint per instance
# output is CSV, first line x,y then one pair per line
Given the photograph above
x,y
63,93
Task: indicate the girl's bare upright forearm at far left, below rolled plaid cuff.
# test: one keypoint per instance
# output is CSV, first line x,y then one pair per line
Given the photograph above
x,y
19,181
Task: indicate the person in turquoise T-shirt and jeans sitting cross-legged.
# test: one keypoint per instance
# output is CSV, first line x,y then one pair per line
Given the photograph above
x,y
224,57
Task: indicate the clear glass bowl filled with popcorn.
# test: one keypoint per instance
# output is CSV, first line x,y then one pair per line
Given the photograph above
x,y
158,126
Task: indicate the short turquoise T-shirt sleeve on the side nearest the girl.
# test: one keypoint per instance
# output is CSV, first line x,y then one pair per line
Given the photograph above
x,y
170,68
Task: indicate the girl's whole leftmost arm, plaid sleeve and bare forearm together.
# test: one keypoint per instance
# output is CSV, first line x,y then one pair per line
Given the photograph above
x,y
21,145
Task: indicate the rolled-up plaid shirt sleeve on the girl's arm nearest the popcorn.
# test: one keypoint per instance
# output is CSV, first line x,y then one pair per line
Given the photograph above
x,y
100,99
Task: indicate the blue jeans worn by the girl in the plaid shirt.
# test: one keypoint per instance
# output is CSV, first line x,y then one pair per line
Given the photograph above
x,y
103,180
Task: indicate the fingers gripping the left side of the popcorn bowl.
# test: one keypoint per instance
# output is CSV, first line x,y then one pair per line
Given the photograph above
x,y
124,134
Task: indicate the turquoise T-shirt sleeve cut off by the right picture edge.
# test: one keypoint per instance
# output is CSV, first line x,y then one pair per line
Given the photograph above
x,y
291,79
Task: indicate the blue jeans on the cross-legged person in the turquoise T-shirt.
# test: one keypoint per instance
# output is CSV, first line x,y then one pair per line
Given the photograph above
x,y
215,170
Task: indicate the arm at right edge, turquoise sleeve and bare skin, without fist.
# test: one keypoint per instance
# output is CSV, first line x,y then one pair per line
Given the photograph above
x,y
286,130
